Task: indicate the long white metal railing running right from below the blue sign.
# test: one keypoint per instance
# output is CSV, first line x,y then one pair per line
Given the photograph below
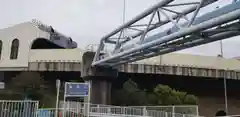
x,y
109,110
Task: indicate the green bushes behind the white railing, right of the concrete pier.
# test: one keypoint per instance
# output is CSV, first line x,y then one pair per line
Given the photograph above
x,y
130,94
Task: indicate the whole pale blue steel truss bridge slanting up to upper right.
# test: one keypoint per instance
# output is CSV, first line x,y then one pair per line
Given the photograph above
x,y
135,40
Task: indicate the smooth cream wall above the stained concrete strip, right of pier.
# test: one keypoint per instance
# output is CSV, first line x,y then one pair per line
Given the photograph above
x,y
210,62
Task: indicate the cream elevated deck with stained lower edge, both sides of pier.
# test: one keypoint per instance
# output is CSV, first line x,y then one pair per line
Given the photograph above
x,y
173,64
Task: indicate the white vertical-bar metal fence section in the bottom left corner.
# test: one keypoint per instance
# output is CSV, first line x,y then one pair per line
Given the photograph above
x,y
10,108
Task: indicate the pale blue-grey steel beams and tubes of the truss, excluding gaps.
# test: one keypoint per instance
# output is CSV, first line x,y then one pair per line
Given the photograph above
x,y
163,42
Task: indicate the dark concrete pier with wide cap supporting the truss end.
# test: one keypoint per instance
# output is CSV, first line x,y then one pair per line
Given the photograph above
x,y
100,79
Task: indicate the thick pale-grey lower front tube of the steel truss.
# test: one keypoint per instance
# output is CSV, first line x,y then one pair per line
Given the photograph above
x,y
232,14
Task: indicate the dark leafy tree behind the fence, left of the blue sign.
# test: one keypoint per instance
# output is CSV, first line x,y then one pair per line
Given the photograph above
x,y
31,85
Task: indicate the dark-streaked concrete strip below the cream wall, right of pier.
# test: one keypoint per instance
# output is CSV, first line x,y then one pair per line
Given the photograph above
x,y
179,70
